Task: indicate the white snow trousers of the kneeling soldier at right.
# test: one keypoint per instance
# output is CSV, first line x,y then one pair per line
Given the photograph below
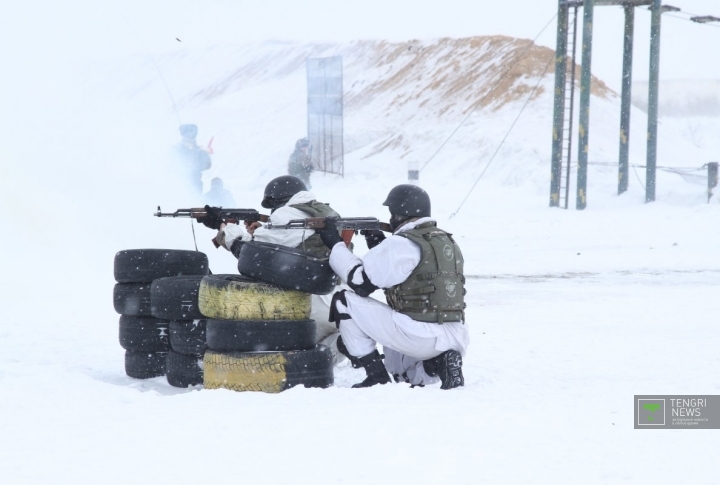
x,y
406,342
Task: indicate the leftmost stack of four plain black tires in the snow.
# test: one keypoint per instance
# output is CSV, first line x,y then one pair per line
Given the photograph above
x,y
144,336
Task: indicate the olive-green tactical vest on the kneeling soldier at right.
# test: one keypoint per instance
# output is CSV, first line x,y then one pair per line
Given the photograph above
x,y
435,290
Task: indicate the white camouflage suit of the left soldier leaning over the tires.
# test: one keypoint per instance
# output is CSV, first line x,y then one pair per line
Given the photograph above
x,y
327,333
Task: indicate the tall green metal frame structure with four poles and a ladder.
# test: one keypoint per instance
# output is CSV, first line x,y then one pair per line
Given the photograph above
x,y
560,112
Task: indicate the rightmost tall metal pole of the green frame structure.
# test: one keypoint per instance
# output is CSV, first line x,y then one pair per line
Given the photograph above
x,y
653,92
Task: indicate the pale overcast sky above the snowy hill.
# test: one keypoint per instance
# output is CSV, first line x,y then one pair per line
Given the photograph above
x,y
54,33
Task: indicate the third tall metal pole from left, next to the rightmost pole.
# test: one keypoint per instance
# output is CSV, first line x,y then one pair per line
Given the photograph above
x,y
626,103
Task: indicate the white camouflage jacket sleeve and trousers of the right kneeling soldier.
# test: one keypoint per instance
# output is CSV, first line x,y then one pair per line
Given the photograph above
x,y
406,342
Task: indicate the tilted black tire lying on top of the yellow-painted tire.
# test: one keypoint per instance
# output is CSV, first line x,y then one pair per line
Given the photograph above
x,y
286,267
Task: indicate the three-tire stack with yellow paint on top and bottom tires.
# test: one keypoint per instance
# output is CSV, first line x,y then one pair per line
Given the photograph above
x,y
260,337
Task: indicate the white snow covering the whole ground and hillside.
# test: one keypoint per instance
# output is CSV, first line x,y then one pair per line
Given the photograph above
x,y
571,313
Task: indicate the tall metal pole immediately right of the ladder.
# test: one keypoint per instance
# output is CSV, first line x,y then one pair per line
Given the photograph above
x,y
585,86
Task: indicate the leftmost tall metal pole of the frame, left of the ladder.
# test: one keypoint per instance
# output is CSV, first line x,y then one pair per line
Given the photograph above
x,y
559,104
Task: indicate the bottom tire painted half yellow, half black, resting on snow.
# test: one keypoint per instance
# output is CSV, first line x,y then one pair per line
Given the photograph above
x,y
268,371
